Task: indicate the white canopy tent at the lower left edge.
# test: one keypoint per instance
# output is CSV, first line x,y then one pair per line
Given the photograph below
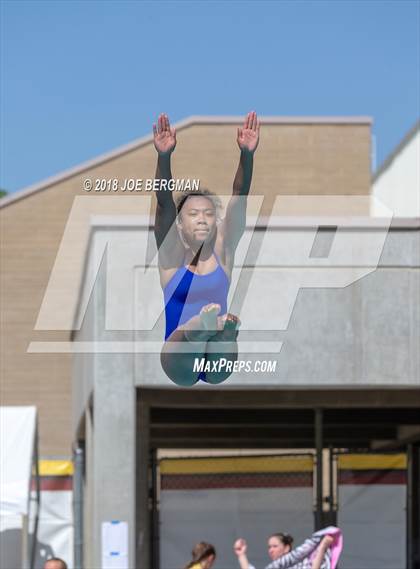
x,y
18,455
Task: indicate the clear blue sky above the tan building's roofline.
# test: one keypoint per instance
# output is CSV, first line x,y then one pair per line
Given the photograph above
x,y
82,78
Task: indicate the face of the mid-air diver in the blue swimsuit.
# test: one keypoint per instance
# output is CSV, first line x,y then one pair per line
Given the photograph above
x,y
197,220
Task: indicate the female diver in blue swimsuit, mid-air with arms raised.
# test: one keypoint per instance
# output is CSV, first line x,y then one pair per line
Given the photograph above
x,y
196,256
